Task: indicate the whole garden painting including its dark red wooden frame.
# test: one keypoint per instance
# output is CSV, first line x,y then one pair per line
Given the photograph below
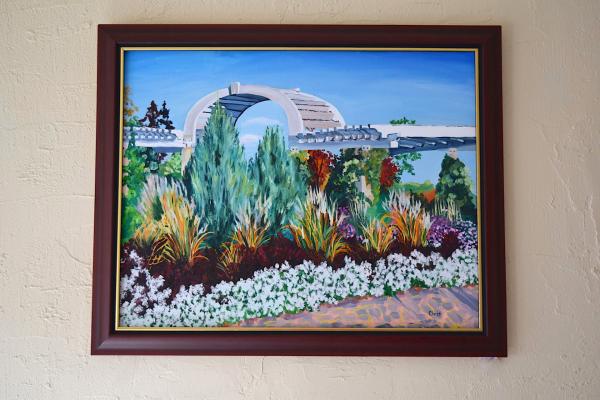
x,y
299,190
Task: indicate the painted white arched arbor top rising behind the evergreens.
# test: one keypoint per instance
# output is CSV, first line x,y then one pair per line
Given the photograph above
x,y
304,112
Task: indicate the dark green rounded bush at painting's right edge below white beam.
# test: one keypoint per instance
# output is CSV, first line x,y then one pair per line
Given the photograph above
x,y
455,185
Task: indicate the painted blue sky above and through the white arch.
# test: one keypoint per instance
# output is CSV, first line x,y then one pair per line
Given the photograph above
x,y
434,88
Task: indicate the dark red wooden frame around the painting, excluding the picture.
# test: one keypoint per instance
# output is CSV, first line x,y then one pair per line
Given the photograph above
x,y
490,342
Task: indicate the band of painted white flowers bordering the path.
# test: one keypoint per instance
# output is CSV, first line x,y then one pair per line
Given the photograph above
x,y
286,289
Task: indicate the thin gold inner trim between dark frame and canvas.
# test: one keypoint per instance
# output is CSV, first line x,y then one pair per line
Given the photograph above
x,y
291,329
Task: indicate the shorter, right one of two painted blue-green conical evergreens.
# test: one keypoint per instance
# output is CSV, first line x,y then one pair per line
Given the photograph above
x,y
274,177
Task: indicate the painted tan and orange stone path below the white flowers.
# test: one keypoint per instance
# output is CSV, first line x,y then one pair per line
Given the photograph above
x,y
416,308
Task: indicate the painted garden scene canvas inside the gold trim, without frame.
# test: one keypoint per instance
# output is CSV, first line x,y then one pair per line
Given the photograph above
x,y
299,189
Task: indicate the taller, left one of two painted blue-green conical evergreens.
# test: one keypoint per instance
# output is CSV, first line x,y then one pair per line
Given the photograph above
x,y
216,176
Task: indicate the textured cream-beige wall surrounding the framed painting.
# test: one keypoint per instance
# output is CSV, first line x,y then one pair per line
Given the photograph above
x,y
552,150
